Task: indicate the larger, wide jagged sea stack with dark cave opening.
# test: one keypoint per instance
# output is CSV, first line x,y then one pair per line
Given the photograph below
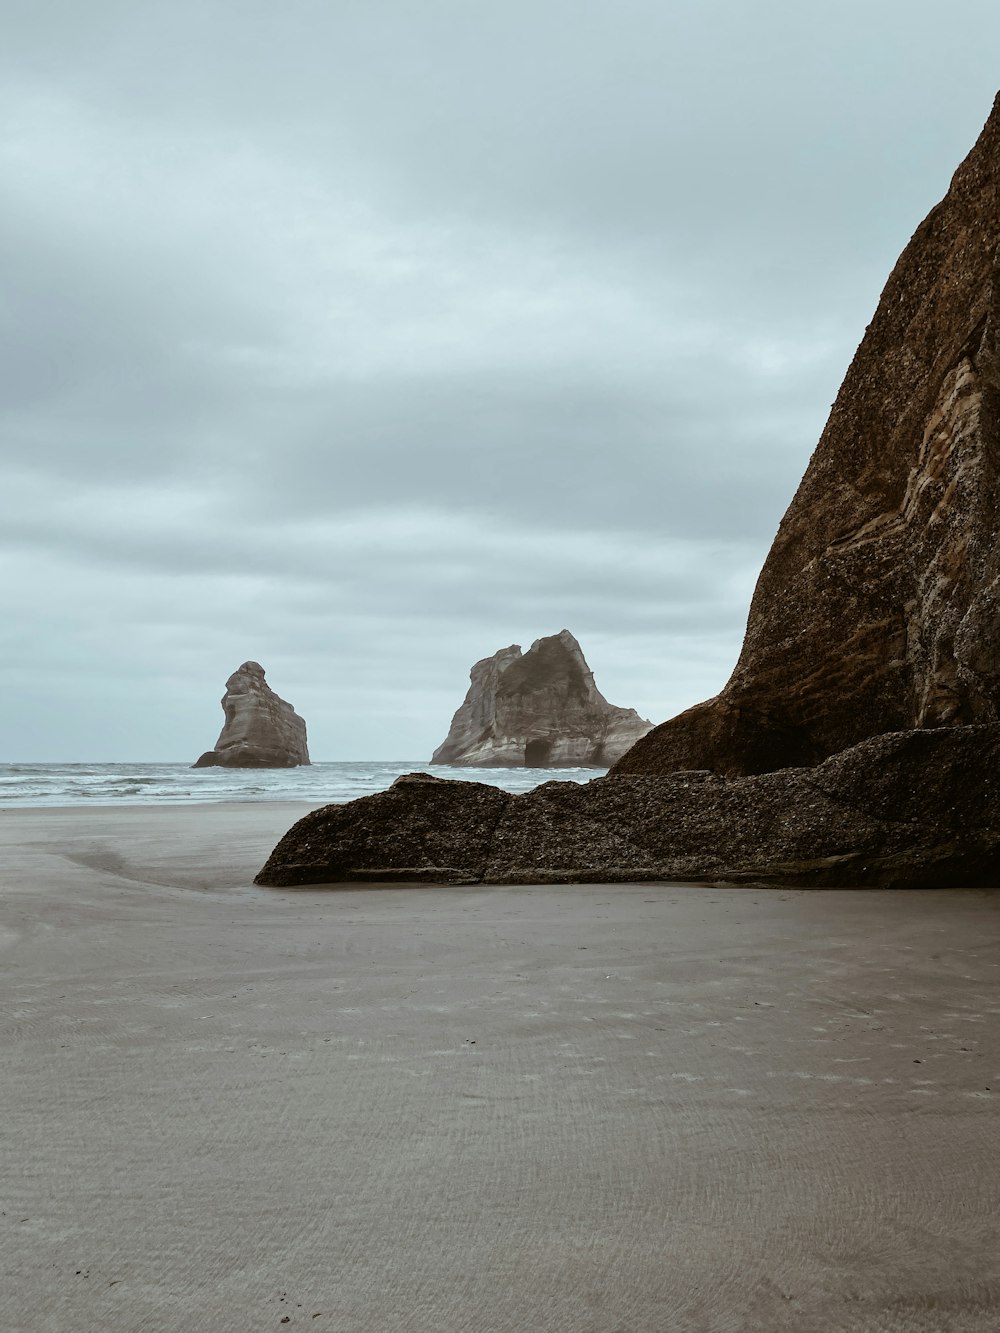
x,y
538,710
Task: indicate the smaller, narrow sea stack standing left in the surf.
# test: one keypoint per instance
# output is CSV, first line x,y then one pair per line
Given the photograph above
x,y
262,731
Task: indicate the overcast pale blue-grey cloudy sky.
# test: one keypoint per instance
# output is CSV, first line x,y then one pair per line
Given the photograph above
x,y
366,338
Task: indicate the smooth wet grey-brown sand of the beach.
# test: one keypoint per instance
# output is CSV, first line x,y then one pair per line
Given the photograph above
x,y
563,1108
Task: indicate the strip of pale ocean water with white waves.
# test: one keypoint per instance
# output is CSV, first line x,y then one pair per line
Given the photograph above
x,y
165,784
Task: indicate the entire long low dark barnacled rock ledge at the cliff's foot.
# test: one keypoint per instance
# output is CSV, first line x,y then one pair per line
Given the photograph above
x,y
909,810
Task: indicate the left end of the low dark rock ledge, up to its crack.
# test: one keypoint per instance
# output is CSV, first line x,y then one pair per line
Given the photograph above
x,y
422,828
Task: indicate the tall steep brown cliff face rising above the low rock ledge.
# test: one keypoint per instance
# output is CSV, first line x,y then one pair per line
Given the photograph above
x,y
879,606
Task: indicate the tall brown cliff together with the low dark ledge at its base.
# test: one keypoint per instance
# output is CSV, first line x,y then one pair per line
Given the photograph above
x,y
858,742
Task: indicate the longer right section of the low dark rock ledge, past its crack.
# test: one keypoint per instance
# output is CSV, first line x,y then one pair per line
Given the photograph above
x,y
914,808
